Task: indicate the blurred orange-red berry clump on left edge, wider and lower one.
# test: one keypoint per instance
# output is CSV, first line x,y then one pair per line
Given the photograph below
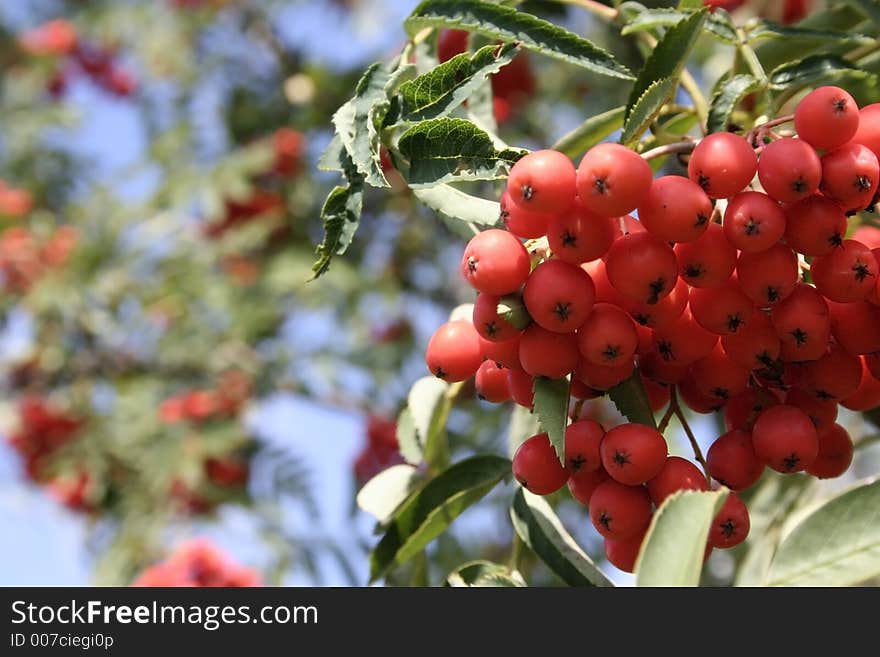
x,y
24,258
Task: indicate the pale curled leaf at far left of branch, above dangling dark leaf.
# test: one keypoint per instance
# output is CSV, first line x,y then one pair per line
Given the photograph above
x,y
356,123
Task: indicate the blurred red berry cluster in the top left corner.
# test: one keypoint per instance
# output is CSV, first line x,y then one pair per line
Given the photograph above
x,y
59,39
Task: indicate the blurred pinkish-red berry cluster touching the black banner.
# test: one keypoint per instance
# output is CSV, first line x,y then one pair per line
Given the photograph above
x,y
195,564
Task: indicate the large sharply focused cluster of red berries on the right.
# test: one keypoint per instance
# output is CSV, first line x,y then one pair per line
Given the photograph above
x,y
735,298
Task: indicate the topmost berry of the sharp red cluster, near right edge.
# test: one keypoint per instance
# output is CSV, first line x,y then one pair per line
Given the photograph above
x,y
827,117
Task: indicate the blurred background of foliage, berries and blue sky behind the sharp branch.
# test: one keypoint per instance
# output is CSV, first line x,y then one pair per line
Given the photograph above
x,y
156,304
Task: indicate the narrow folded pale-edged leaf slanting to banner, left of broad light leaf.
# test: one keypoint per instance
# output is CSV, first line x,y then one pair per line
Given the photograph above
x,y
540,528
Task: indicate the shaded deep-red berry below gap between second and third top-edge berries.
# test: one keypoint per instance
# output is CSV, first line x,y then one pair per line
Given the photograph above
x,y
642,267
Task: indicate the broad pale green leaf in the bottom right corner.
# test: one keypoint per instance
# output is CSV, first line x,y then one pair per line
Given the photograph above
x,y
837,545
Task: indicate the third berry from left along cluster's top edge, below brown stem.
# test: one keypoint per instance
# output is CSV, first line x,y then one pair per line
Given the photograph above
x,y
675,209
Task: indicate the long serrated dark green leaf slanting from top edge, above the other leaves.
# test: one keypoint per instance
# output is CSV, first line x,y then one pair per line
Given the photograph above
x,y
508,24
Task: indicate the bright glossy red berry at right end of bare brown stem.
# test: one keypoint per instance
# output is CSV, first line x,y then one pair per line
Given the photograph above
x,y
723,164
